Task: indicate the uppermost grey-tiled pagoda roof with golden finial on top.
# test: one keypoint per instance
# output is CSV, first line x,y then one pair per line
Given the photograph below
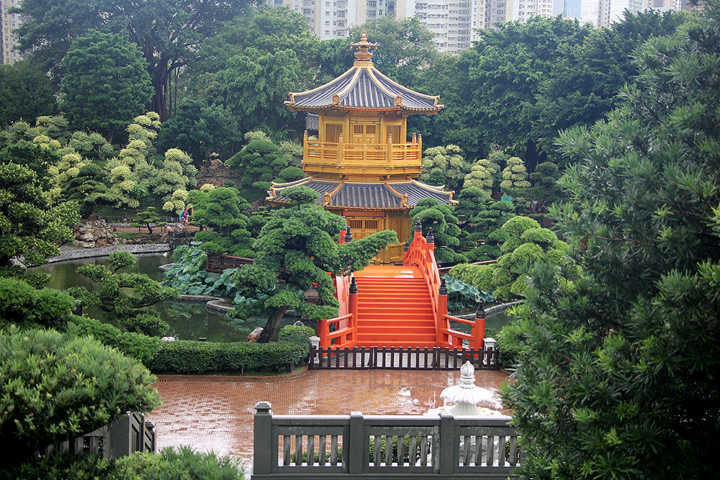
x,y
363,87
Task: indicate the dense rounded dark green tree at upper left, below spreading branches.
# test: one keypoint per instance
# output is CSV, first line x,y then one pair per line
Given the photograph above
x,y
106,83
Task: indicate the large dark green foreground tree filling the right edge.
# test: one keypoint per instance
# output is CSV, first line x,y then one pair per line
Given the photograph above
x,y
618,370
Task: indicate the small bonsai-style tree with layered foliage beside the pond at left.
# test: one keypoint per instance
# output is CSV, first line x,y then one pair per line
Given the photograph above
x,y
126,295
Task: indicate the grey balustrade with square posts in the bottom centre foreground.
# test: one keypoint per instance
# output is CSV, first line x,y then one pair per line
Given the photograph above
x,y
364,447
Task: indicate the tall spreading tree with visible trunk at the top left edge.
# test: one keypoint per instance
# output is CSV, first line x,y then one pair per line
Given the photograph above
x,y
168,33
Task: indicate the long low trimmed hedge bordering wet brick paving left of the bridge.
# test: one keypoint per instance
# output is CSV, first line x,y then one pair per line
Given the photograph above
x,y
188,356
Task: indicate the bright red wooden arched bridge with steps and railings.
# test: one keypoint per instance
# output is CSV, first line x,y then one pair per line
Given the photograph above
x,y
398,306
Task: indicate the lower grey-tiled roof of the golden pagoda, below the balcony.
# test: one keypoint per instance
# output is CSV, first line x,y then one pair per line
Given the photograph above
x,y
386,196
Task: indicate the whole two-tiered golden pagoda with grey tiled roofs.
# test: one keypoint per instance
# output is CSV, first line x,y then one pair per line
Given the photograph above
x,y
361,162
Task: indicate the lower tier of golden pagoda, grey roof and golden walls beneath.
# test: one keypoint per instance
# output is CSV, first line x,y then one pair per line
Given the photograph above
x,y
370,207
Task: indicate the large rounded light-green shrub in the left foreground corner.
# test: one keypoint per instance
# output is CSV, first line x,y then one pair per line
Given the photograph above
x,y
58,386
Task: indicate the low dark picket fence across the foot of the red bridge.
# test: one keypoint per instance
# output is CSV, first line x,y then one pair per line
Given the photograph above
x,y
402,358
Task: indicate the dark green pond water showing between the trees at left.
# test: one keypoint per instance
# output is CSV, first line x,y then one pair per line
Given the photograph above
x,y
187,320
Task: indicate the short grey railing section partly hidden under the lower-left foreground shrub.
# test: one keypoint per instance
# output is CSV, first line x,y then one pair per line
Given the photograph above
x,y
126,435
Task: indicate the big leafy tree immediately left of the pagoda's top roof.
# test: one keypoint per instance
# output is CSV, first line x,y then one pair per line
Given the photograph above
x,y
252,63
